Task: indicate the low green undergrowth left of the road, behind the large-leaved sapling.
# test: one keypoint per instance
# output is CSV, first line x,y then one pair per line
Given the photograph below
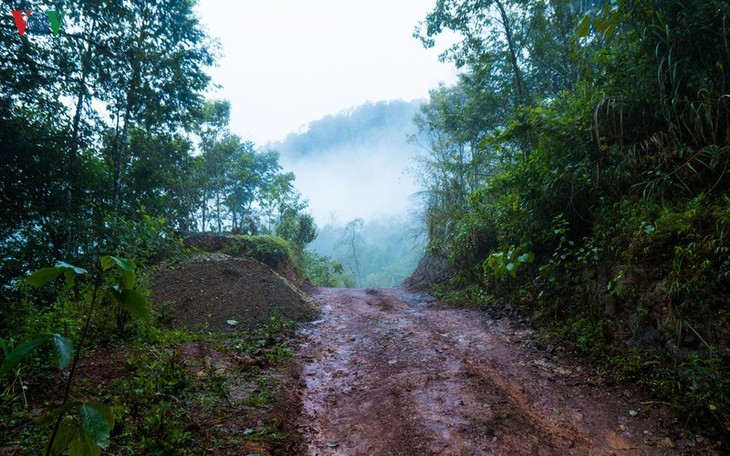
x,y
165,398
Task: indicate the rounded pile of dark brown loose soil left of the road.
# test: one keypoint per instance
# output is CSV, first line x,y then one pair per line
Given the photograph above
x,y
213,291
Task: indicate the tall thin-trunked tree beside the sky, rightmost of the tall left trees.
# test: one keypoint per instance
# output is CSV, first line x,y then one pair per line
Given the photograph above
x,y
152,38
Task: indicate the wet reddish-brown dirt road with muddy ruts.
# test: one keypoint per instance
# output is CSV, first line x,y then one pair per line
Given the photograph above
x,y
390,372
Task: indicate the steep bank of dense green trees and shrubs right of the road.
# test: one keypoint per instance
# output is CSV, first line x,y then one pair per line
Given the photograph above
x,y
579,171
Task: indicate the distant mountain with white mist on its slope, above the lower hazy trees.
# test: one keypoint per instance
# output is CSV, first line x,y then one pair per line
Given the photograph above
x,y
354,164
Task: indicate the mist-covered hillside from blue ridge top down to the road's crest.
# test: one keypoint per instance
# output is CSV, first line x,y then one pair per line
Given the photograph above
x,y
355,166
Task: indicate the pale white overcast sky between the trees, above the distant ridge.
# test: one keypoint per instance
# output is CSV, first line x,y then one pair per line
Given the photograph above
x,y
286,63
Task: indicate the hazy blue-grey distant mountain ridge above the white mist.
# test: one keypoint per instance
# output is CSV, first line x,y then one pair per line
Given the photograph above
x,y
374,124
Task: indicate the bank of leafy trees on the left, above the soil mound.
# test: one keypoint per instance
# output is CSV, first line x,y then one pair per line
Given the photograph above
x,y
109,147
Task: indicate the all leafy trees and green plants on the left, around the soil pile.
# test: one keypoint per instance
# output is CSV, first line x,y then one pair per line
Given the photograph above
x,y
108,148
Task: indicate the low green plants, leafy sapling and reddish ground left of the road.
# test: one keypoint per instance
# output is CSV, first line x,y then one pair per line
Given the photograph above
x,y
132,386
